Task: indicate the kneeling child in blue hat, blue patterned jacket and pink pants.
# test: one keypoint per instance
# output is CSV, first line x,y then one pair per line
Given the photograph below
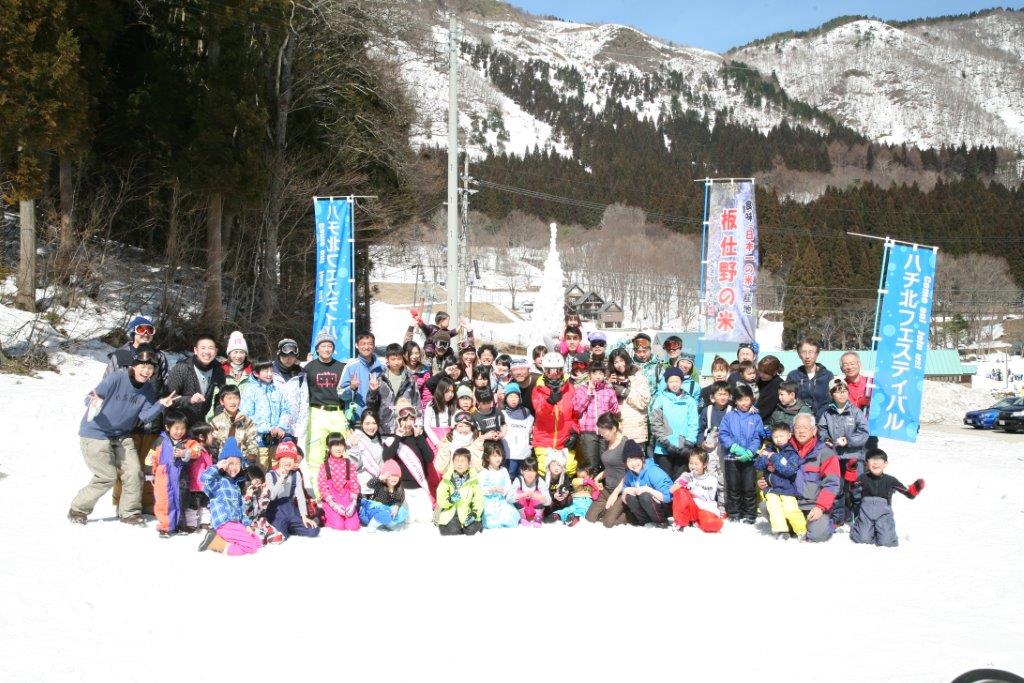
x,y
231,533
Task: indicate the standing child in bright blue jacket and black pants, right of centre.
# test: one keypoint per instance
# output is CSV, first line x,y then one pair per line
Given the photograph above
x,y
741,436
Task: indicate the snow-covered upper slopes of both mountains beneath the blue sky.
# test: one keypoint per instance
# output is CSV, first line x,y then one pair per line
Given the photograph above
x,y
926,83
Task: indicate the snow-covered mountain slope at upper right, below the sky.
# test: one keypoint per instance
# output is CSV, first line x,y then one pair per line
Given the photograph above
x,y
927,84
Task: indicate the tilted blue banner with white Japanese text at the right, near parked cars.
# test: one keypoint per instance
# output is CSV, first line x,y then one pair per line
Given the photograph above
x,y
905,324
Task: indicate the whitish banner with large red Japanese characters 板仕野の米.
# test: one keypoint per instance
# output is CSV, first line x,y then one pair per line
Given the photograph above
x,y
733,263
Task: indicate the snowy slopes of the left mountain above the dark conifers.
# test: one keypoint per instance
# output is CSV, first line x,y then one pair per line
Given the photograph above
x,y
594,55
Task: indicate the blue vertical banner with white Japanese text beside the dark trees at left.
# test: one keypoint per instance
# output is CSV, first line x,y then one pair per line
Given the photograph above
x,y
334,306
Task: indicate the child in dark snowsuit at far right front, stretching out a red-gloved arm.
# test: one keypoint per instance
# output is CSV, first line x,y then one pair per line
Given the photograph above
x,y
875,522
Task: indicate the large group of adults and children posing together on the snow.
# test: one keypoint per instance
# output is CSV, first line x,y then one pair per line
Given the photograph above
x,y
467,439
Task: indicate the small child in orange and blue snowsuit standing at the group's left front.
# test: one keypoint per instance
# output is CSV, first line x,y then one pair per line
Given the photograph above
x,y
169,462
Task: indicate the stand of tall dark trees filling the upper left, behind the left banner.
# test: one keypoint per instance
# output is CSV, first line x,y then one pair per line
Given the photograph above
x,y
199,131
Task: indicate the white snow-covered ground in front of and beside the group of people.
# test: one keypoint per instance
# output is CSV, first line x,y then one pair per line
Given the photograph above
x,y
105,602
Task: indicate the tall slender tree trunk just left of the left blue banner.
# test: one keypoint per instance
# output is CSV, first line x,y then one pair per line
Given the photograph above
x,y
277,194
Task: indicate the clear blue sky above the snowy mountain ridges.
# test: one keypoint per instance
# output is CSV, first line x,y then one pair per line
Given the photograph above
x,y
720,25
